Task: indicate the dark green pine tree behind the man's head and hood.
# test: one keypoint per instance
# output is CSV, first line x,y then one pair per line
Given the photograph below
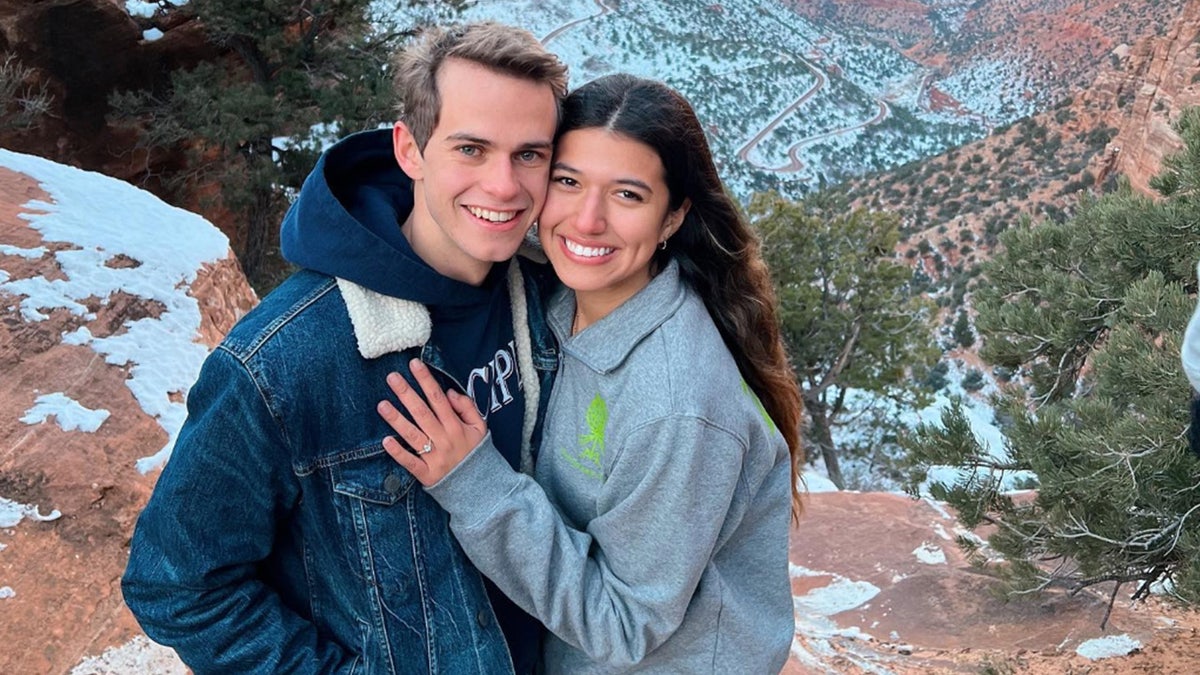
x,y
293,75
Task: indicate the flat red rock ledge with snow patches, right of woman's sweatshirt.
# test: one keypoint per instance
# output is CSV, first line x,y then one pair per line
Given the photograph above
x,y
881,587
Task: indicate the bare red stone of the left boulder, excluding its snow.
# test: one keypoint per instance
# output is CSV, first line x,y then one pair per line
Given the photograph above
x,y
65,574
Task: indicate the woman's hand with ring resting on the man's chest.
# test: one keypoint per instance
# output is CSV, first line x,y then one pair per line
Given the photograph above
x,y
446,431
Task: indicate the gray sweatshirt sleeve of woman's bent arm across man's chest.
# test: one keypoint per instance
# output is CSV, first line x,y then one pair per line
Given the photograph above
x,y
620,589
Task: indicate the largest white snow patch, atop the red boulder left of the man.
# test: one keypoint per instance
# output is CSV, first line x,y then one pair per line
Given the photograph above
x,y
163,355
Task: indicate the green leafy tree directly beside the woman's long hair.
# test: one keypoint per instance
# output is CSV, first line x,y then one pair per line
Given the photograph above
x,y
850,318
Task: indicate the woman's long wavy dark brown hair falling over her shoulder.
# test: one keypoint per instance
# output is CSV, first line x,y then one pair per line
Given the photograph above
x,y
718,253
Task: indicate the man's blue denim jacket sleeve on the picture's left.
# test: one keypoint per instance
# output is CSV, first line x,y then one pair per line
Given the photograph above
x,y
218,507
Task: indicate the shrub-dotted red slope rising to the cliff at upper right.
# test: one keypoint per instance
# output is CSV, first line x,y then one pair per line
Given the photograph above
x,y
1118,124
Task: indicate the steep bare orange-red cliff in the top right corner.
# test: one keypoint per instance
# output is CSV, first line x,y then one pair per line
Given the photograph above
x,y
1159,79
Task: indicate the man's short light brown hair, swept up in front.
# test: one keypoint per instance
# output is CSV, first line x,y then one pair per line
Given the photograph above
x,y
503,49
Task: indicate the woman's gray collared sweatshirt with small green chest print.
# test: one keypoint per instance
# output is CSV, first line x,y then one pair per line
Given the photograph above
x,y
656,536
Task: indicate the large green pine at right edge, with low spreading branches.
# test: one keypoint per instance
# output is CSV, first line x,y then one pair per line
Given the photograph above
x,y
1091,313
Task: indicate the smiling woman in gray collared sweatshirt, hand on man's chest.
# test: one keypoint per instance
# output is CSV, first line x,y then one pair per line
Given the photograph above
x,y
656,536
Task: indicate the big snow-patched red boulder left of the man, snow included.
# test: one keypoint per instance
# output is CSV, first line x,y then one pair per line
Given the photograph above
x,y
101,332
